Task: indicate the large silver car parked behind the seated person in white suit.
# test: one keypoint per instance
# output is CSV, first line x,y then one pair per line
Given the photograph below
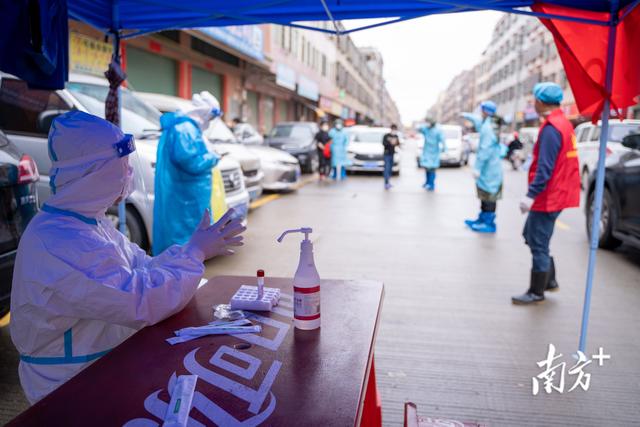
x,y
26,115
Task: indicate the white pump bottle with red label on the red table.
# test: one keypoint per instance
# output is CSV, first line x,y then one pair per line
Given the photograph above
x,y
306,285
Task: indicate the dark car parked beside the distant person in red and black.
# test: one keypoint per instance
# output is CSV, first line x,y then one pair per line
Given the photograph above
x,y
297,139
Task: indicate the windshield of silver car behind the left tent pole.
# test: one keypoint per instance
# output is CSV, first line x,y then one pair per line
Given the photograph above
x,y
137,117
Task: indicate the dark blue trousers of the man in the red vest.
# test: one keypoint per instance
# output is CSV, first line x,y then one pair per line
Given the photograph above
x,y
537,234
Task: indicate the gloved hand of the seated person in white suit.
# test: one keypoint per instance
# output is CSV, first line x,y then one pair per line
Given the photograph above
x,y
209,240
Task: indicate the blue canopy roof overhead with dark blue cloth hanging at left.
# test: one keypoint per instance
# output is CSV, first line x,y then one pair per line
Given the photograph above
x,y
34,45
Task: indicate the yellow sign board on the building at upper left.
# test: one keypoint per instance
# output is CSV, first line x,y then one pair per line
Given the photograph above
x,y
88,55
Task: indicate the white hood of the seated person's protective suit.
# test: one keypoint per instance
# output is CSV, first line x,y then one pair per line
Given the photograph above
x,y
87,176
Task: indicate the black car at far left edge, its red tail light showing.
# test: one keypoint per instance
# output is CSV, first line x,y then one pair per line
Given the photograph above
x,y
18,204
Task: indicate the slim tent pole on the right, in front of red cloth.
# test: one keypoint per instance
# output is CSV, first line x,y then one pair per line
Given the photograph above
x,y
604,136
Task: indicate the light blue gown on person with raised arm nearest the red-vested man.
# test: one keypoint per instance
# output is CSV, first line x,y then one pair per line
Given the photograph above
x,y
488,158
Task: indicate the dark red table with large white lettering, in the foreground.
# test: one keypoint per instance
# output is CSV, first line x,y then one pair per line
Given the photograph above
x,y
286,377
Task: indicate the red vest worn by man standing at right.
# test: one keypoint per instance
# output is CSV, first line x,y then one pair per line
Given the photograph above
x,y
563,188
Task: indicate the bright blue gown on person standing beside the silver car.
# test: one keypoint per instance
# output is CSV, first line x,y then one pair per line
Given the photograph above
x,y
182,181
